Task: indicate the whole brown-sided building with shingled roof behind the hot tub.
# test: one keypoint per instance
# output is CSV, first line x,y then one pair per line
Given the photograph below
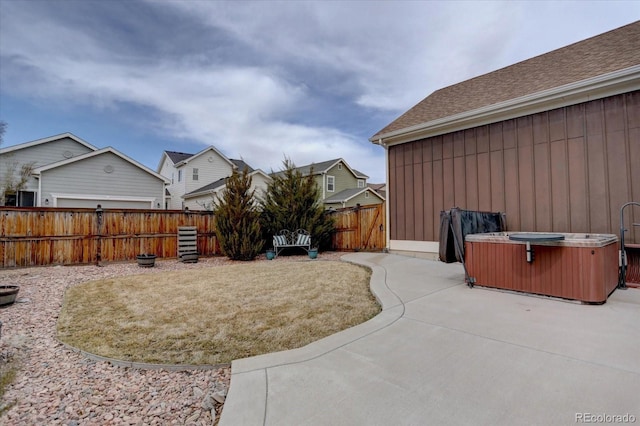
x,y
553,141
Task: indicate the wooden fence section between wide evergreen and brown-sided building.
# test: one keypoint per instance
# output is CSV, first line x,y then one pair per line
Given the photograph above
x,y
360,228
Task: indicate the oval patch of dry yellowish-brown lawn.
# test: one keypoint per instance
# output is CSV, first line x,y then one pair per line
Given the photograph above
x,y
215,315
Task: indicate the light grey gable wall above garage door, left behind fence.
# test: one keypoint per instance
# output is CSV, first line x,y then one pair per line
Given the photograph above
x,y
89,180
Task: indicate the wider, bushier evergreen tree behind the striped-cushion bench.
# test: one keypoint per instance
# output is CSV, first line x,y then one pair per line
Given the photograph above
x,y
292,201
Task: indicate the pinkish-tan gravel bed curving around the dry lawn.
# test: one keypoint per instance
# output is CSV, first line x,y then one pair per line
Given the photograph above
x,y
55,385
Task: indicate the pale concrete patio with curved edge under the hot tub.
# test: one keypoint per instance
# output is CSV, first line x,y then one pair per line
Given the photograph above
x,y
441,353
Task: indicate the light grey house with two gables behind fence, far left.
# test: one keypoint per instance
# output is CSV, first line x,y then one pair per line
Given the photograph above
x,y
66,171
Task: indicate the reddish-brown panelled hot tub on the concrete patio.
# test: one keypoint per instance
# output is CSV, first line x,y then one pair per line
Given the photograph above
x,y
580,267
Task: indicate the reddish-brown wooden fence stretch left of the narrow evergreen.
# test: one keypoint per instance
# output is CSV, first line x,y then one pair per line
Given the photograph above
x,y
48,236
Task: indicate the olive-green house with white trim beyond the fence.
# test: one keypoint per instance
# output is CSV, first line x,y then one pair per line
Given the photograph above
x,y
340,185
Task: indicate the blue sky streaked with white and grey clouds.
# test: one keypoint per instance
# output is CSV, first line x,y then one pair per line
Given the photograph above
x,y
259,80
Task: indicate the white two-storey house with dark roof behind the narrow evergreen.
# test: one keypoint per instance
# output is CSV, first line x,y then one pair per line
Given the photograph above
x,y
197,179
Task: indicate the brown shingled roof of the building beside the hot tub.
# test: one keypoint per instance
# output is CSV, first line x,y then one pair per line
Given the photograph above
x,y
606,54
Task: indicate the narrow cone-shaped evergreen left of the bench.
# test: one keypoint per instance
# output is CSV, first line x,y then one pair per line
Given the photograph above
x,y
237,219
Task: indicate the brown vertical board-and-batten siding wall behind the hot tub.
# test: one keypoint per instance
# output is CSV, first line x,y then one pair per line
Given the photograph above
x,y
565,170
